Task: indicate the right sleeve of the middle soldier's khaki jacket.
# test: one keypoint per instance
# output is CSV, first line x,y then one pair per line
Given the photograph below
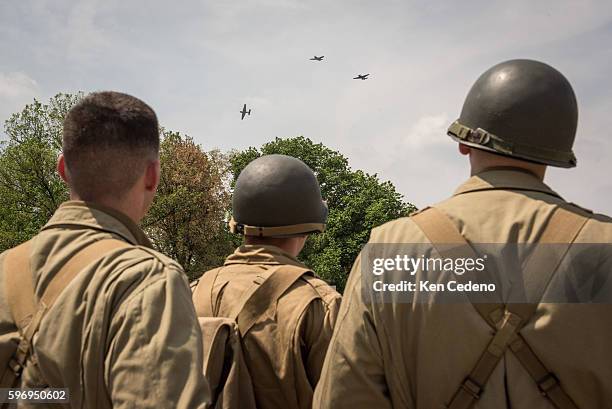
x,y
318,325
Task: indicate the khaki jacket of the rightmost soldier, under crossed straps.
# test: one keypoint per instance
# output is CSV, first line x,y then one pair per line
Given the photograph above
x,y
416,355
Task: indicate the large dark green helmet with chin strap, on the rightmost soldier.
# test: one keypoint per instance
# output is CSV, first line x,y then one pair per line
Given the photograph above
x,y
521,108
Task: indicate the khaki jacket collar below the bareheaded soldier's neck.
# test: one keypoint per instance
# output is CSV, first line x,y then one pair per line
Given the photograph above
x,y
95,216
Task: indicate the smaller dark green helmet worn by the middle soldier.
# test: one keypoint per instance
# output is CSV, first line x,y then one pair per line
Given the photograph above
x,y
277,196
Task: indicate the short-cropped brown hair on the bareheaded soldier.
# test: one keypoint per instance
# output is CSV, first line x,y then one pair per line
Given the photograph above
x,y
108,139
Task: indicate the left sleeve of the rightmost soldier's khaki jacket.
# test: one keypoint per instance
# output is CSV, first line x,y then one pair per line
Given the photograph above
x,y
353,373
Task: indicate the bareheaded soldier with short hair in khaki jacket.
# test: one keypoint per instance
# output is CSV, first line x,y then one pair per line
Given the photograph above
x,y
93,307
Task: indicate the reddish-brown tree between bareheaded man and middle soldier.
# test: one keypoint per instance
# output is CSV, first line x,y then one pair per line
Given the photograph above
x,y
186,219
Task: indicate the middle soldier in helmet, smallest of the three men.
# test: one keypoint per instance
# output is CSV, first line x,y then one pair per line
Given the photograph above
x,y
276,204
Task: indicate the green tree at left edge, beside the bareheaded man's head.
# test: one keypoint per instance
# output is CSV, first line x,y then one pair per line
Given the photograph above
x,y
30,188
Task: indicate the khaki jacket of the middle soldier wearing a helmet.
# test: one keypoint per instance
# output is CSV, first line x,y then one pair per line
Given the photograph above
x,y
285,349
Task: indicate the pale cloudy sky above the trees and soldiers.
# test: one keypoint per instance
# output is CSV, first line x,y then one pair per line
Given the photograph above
x,y
197,62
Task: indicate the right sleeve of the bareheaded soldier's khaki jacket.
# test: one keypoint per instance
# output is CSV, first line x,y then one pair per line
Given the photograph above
x,y
155,360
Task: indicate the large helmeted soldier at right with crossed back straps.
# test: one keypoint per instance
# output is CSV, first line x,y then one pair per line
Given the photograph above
x,y
518,118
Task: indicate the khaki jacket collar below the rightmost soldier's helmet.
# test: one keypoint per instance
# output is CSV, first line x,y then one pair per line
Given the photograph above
x,y
506,179
